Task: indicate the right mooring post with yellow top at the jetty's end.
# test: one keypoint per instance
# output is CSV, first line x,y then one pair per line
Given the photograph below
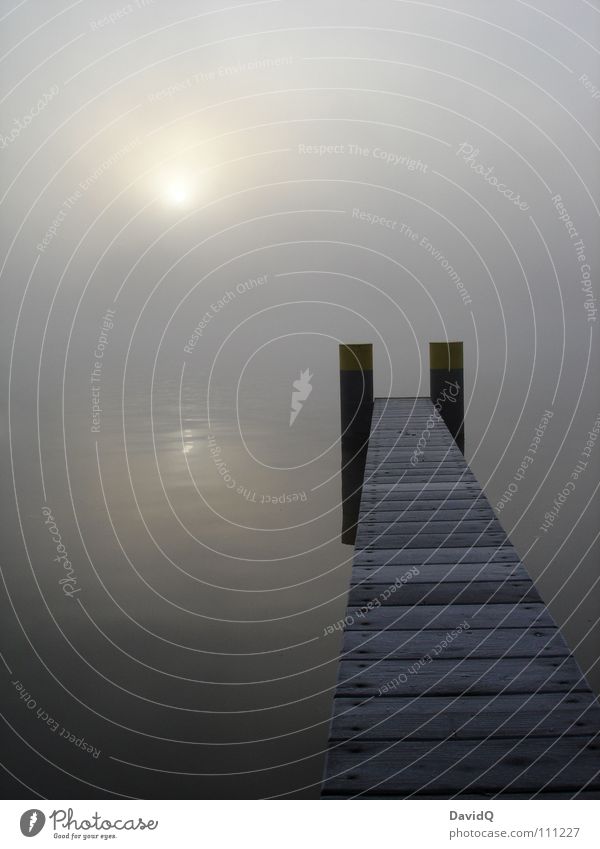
x,y
447,386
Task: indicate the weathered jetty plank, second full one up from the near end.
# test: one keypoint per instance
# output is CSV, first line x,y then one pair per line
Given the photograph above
x,y
465,718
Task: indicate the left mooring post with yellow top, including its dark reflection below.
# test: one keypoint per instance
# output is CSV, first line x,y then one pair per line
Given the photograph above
x,y
356,404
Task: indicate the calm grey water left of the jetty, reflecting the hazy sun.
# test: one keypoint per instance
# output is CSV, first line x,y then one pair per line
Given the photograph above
x,y
189,648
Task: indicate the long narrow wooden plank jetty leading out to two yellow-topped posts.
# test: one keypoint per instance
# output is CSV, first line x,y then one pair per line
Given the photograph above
x,y
454,680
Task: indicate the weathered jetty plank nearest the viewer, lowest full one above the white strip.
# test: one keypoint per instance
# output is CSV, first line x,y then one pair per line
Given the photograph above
x,y
410,767
